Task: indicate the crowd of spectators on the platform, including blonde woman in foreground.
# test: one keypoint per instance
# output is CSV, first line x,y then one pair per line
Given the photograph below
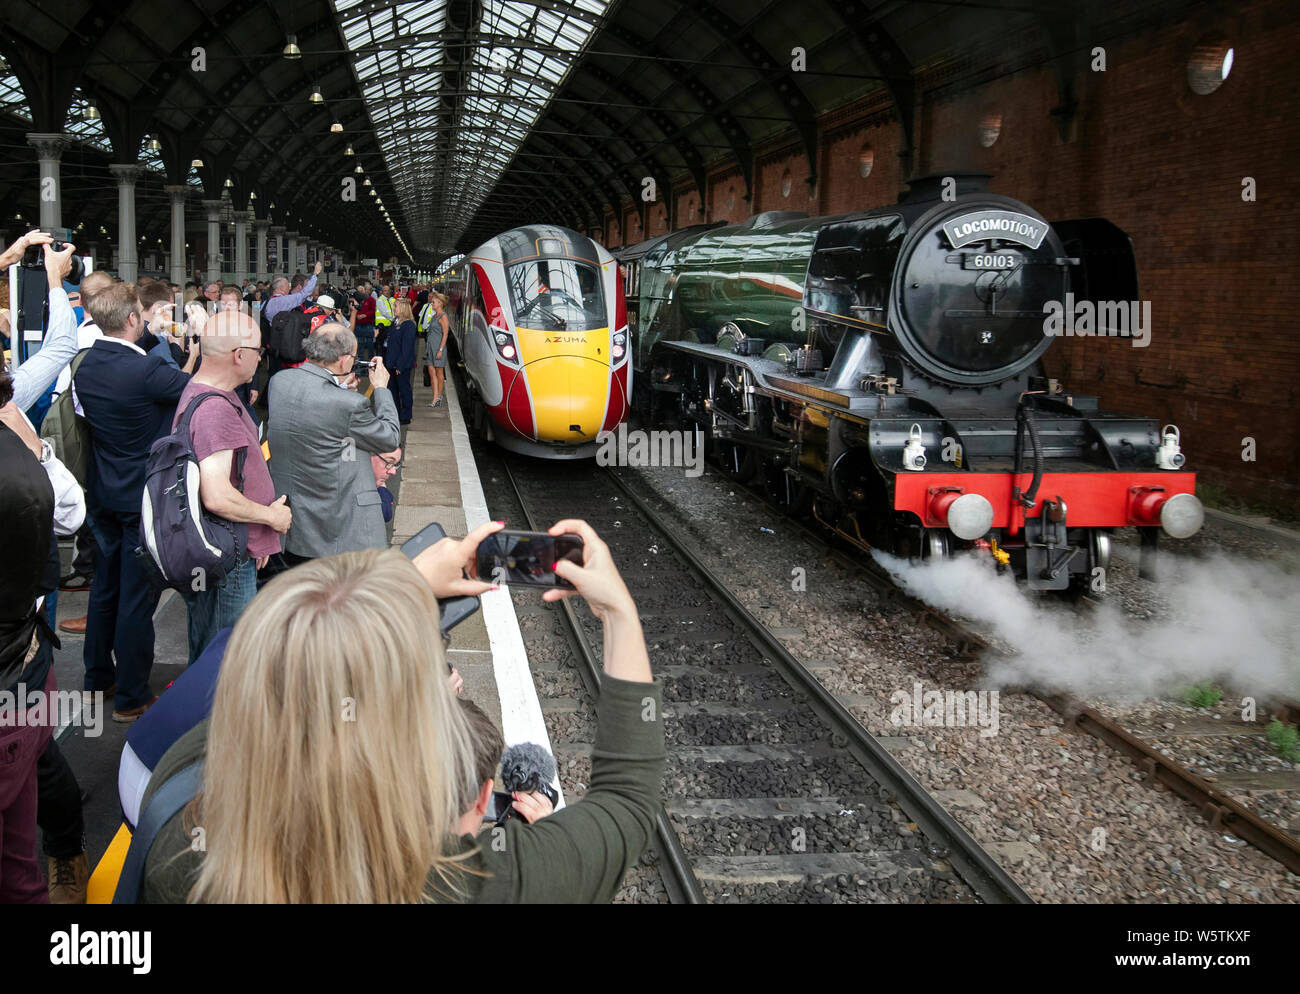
x,y
337,762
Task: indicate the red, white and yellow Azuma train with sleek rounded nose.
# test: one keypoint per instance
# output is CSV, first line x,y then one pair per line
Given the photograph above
x,y
543,335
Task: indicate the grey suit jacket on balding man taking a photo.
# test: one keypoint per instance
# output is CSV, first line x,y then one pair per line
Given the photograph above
x,y
322,437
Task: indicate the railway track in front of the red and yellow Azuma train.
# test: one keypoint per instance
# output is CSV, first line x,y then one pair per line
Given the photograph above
x,y
774,791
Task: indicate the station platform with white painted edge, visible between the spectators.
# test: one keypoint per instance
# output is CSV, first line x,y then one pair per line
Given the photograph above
x,y
437,481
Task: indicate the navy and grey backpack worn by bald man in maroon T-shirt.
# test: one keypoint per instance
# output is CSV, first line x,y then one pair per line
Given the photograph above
x,y
189,548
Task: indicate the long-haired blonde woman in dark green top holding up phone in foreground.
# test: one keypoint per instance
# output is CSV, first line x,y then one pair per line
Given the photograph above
x,y
339,767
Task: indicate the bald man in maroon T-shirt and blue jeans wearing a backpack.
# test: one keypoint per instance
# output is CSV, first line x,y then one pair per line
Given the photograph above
x,y
235,483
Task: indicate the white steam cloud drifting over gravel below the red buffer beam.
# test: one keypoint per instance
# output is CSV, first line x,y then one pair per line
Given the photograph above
x,y
1223,620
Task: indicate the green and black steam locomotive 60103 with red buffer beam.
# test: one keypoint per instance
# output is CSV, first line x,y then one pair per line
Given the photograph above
x,y
882,372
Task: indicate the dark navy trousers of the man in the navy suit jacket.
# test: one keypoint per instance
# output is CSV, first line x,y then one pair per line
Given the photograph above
x,y
120,617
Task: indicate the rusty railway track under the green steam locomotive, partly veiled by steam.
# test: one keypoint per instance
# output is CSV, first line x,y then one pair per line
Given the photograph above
x,y
1150,749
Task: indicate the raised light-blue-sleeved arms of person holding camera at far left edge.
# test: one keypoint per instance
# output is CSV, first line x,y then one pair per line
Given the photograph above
x,y
38,374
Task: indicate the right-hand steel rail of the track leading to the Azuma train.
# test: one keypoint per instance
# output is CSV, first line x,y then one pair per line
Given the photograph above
x,y
977,867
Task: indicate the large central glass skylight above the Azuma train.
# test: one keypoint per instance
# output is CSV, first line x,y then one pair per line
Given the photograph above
x,y
450,118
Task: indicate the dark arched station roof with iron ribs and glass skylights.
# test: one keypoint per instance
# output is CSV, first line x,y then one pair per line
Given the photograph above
x,y
456,119
